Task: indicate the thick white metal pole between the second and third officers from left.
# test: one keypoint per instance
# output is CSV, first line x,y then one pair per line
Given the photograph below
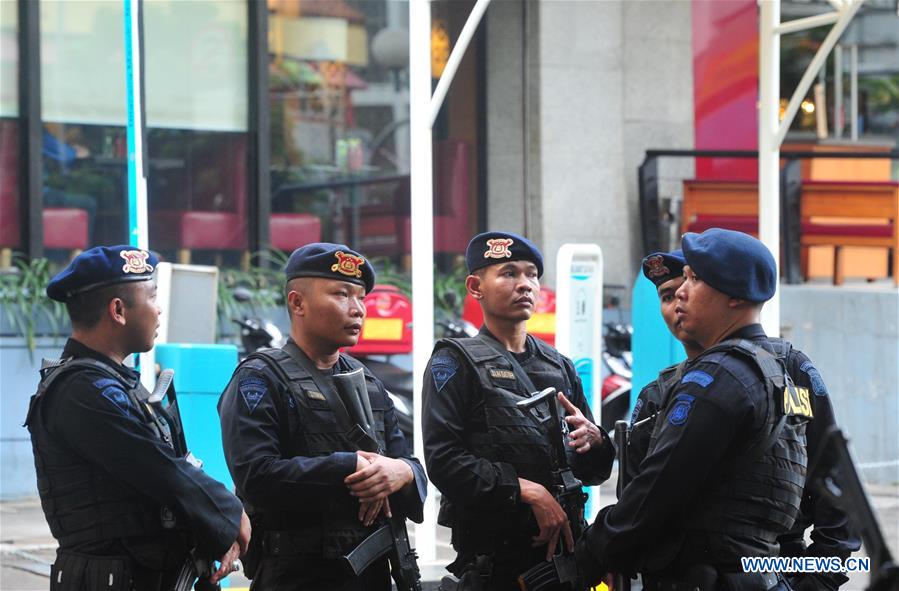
x,y
422,222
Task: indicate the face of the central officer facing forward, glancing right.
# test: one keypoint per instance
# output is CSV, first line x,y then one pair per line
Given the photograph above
x,y
508,290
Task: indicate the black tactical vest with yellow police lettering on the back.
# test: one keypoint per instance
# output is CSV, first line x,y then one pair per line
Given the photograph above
x,y
757,495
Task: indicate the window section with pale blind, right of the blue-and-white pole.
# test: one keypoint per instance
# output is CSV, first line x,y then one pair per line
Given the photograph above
x,y
196,101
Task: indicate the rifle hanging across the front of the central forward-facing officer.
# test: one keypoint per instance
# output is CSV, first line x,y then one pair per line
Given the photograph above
x,y
566,489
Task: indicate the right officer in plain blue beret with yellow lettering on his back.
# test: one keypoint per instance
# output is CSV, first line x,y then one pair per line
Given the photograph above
x,y
726,465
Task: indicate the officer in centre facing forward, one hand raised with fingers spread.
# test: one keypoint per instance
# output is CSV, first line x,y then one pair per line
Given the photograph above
x,y
490,460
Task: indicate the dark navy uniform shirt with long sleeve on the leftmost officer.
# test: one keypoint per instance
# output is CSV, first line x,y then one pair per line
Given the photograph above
x,y
96,419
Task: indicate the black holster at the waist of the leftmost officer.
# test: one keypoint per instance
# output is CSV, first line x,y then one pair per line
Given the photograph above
x,y
73,572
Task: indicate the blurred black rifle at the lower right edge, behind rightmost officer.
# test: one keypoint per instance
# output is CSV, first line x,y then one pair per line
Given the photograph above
x,y
842,485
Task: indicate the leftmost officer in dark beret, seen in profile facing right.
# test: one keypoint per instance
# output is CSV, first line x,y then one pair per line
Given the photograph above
x,y
124,507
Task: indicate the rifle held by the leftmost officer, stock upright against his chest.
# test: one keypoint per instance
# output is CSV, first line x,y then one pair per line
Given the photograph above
x,y
163,406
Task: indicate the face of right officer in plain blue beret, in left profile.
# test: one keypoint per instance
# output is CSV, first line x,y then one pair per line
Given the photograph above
x,y
701,310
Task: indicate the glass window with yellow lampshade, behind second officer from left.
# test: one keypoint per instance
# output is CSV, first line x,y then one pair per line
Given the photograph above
x,y
339,105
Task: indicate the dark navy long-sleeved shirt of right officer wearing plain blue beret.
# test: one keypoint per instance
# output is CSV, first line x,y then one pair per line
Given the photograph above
x,y
721,404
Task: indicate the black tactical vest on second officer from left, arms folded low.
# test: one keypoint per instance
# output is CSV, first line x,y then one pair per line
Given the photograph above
x,y
336,530
